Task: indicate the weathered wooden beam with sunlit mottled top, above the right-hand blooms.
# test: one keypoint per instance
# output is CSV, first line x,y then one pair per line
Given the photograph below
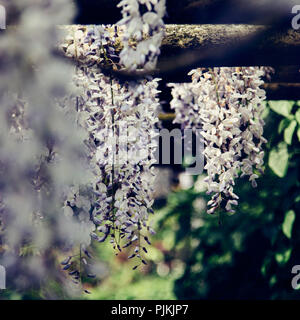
x,y
186,46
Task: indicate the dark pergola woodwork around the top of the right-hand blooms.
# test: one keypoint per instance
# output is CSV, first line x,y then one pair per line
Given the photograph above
x,y
187,46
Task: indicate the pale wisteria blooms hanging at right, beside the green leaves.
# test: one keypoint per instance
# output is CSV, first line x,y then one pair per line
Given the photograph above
x,y
226,104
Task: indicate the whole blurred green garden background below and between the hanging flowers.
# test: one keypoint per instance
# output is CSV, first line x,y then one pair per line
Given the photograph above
x,y
248,255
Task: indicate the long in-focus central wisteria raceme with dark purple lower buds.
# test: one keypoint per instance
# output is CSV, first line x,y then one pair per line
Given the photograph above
x,y
120,119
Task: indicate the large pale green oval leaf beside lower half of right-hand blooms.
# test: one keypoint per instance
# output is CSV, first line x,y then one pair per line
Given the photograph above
x,y
278,159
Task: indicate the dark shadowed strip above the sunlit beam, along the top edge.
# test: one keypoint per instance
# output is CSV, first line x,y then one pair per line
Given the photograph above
x,y
190,11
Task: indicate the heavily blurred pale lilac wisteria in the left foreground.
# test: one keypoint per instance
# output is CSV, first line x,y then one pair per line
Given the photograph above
x,y
42,149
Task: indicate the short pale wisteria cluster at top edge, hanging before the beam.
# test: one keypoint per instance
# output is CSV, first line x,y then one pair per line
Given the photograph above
x,y
146,29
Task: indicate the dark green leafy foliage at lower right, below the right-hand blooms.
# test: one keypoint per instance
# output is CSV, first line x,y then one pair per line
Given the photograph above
x,y
249,255
